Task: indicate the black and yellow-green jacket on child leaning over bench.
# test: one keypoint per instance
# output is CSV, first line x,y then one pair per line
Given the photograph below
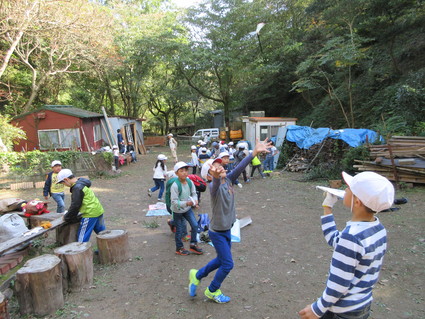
x,y
83,201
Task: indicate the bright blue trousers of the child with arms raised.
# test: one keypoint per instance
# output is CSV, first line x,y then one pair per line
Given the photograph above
x,y
223,262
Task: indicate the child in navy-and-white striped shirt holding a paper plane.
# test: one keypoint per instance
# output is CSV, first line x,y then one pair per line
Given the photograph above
x,y
358,250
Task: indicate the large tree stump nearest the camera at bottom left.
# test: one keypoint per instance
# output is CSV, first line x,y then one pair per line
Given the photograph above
x,y
38,286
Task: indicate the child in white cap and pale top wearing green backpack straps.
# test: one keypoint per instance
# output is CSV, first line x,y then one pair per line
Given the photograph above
x,y
181,205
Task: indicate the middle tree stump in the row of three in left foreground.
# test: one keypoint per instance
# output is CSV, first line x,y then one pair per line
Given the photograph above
x,y
77,265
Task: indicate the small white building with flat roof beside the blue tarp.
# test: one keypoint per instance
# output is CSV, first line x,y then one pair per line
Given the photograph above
x,y
263,127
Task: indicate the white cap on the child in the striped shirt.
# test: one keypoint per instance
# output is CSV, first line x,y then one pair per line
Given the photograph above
x,y
375,191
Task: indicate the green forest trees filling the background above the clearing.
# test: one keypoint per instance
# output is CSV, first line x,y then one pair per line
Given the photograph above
x,y
339,63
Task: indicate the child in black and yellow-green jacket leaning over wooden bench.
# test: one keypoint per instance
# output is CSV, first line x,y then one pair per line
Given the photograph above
x,y
83,201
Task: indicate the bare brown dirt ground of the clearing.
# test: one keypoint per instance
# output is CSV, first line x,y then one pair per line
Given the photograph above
x,y
280,265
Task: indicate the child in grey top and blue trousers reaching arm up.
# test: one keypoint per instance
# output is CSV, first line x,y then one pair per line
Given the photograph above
x,y
223,217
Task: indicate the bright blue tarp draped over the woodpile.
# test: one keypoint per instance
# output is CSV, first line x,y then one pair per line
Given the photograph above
x,y
305,136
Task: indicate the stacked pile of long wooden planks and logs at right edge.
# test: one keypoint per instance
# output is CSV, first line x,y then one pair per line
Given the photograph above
x,y
401,160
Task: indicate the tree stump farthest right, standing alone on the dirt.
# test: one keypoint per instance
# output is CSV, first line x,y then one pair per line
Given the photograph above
x,y
113,246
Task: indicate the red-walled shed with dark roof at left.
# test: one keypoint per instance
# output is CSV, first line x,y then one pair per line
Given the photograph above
x,y
65,127
